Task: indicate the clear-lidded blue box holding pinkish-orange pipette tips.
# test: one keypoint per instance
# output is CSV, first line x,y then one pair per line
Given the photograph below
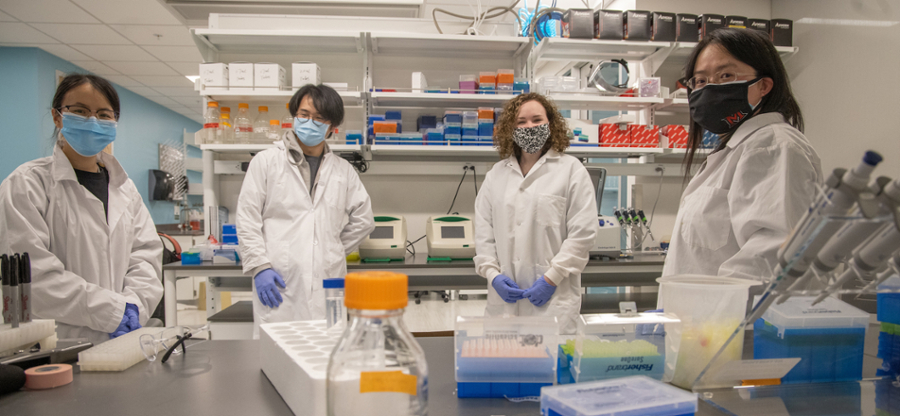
x,y
497,357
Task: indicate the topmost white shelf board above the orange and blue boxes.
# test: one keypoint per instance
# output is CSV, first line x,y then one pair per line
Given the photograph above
x,y
413,44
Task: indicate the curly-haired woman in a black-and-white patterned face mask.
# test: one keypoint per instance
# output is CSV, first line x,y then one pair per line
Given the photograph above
x,y
535,217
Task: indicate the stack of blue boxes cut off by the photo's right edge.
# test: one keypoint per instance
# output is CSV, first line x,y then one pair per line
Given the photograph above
x,y
889,338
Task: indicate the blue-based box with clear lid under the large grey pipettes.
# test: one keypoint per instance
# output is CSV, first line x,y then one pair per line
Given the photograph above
x,y
828,338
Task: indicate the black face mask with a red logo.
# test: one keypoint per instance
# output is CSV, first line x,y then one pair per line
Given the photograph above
x,y
720,108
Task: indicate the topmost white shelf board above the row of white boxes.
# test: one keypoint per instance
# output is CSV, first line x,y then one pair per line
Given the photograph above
x,y
278,41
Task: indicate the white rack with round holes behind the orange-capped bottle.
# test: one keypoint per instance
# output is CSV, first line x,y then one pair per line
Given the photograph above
x,y
294,356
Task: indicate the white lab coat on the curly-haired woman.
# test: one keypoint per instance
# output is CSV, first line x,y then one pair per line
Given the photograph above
x,y
542,224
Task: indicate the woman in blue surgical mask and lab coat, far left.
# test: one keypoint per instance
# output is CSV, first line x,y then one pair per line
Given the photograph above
x,y
95,254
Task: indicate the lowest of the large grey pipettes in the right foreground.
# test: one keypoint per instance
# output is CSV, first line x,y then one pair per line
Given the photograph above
x,y
871,257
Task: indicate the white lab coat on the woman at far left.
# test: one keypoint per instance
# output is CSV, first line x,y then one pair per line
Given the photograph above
x,y
84,270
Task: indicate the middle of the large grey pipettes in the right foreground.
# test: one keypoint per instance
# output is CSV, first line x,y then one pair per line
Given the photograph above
x,y
886,196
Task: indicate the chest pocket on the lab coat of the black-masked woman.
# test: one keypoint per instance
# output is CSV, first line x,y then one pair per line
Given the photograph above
x,y
706,222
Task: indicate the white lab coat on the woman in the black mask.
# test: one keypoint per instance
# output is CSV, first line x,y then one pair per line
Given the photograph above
x,y
743,203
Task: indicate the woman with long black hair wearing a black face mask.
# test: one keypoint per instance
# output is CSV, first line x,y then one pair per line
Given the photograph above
x,y
752,190
